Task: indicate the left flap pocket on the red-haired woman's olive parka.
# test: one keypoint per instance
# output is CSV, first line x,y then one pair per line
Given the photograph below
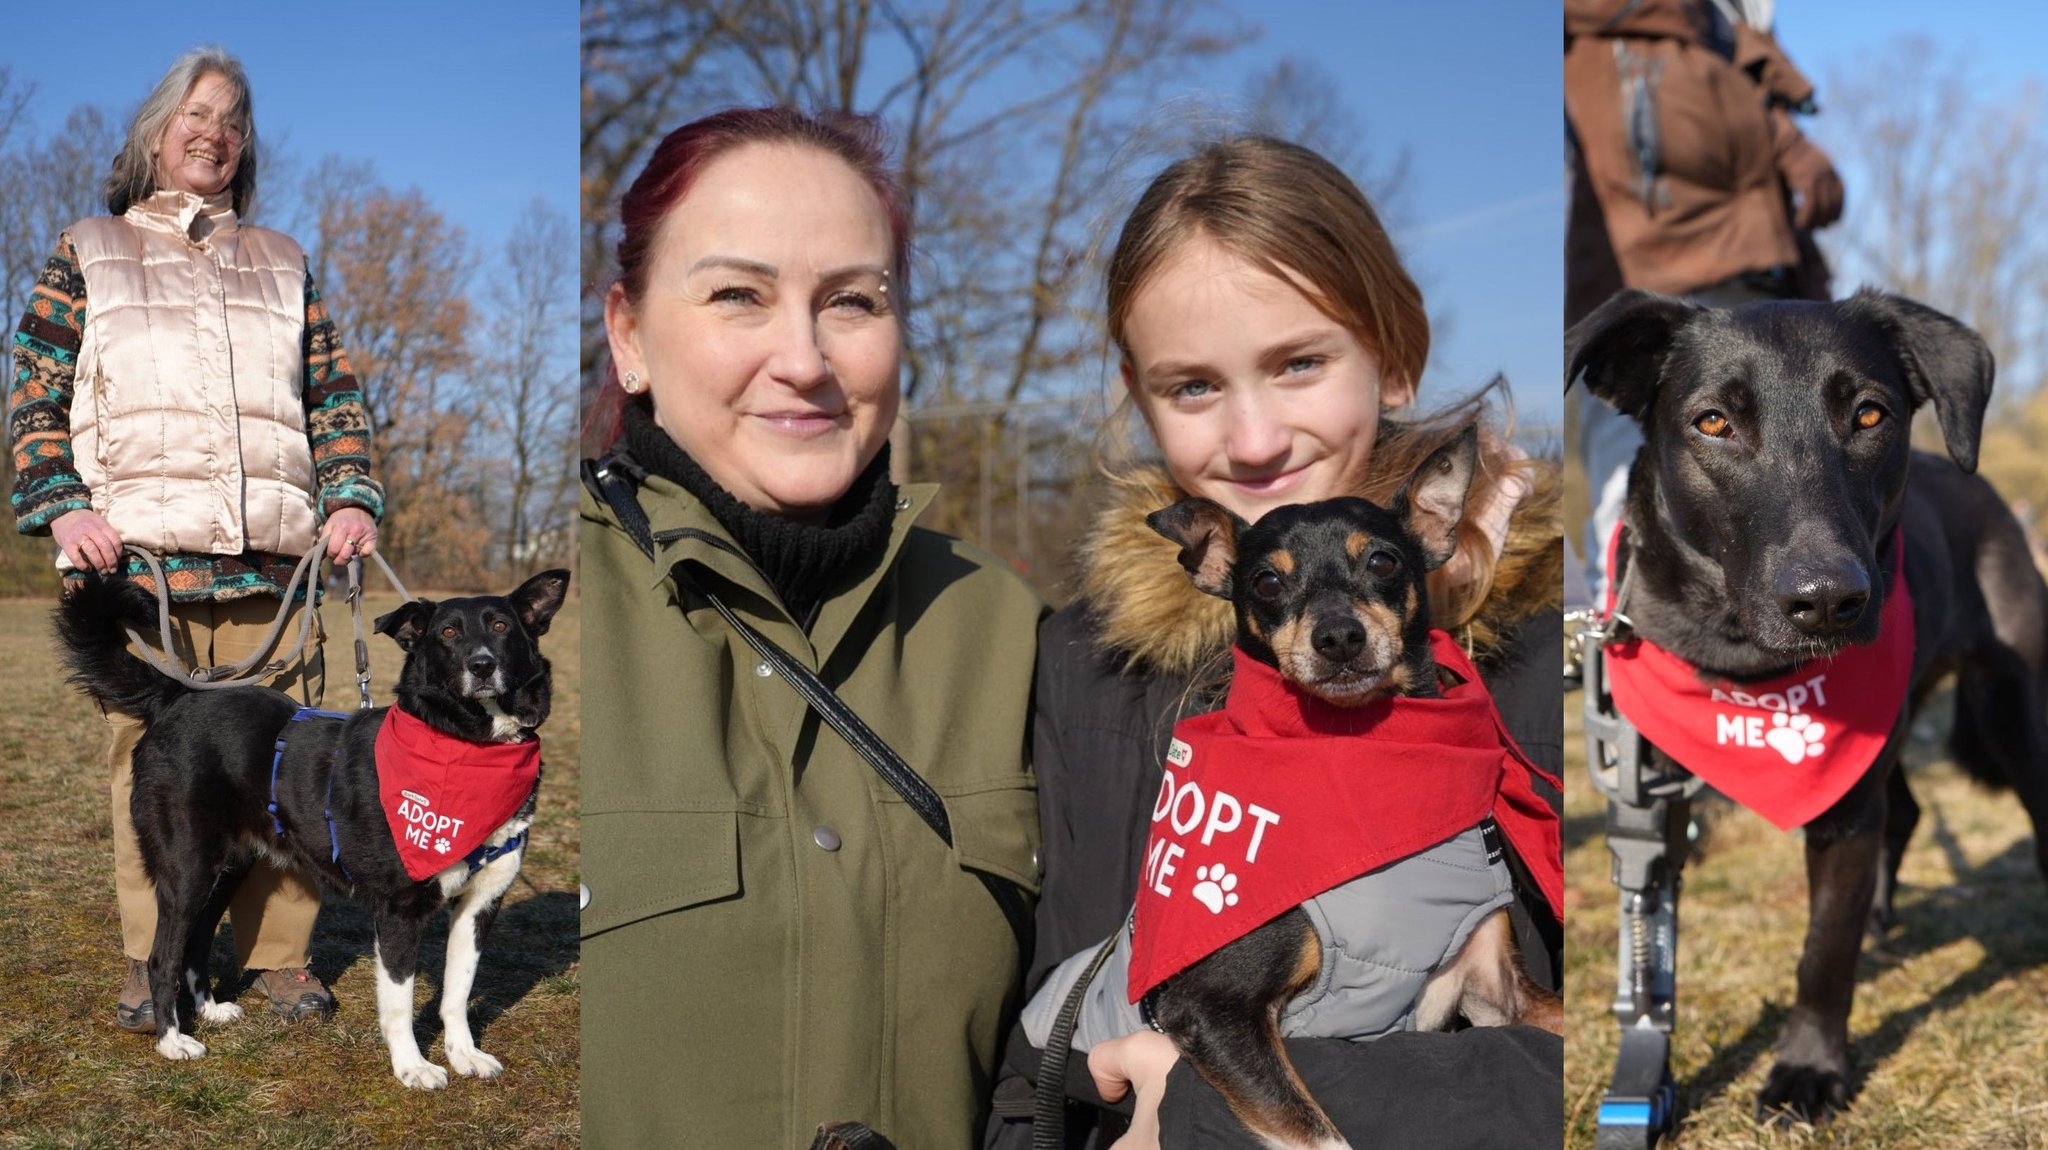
x,y
650,862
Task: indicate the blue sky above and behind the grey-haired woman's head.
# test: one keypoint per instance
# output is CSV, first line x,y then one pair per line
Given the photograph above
x,y
472,103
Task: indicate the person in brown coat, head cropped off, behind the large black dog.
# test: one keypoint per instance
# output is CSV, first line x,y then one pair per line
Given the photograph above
x,y
1689,177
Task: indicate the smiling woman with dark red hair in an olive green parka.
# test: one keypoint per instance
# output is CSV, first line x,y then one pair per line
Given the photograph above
x,y
773,936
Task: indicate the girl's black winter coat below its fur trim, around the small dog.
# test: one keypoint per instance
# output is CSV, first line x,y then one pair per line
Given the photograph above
x,y
1099,742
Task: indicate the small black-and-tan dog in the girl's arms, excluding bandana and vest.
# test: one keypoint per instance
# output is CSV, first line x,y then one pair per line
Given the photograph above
x,y
1332,596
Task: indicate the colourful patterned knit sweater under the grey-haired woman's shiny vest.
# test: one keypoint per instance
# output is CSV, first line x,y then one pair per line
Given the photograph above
x,y
40,429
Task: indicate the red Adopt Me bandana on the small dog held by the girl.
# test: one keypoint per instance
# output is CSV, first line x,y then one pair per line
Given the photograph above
x,y
1281,797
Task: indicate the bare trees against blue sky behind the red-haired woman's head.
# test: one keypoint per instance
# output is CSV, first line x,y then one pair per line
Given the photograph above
x,y
1002,175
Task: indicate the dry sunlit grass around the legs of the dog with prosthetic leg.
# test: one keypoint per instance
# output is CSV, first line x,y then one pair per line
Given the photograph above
x,y
1949,1038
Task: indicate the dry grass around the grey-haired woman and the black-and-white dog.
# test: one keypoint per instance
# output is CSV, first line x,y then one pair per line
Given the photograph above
x,y
69,1079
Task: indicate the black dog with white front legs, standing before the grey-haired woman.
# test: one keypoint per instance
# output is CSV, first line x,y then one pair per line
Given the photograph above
x,y
224,775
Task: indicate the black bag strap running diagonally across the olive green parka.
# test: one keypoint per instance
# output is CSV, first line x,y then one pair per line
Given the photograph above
x,y
613,484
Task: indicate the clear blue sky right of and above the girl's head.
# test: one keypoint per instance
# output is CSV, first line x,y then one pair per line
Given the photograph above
x,y
1476,97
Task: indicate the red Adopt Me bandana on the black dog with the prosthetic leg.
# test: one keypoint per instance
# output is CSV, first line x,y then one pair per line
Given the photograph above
x,y
1785,748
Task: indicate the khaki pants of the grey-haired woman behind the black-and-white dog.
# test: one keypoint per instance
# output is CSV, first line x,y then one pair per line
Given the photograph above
x,y
273,912
